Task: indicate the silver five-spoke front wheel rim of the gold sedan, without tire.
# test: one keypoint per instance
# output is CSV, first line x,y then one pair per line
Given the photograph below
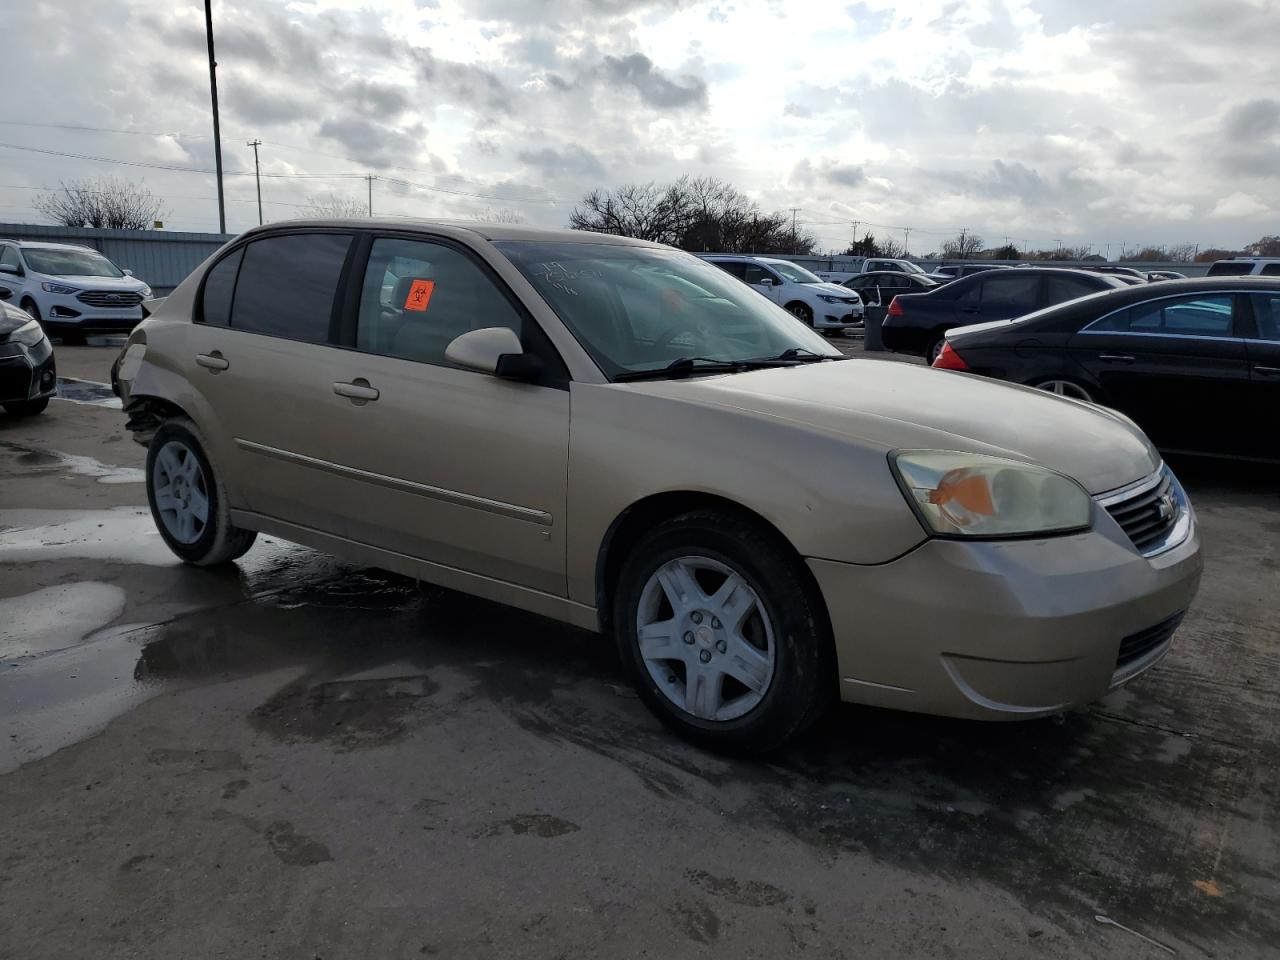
x,y
706,638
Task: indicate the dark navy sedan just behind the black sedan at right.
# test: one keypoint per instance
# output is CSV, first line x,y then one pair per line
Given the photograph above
x,y
916,323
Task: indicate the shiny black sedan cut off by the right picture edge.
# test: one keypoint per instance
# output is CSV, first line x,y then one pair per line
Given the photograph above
x,y
1195,363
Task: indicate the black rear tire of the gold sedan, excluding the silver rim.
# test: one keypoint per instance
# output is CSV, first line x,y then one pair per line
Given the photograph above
x,y
220,541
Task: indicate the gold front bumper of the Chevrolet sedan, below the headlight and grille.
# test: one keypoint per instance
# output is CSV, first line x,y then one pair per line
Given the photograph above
x,y
1007,630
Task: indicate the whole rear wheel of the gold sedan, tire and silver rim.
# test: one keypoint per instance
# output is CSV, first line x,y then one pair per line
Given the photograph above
x,y
189,501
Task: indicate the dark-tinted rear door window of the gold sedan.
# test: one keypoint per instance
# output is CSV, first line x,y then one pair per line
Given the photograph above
x,y
287,285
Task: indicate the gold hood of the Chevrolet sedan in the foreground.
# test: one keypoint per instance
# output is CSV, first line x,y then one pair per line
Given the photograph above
x,y
904,406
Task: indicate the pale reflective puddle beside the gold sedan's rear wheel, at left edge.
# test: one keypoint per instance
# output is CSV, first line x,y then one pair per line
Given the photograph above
x,y
125,534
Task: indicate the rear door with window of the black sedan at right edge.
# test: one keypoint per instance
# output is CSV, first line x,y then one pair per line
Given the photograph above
x,y
1177,365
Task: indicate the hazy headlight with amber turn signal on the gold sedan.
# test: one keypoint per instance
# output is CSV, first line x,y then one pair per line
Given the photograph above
x,y
975,496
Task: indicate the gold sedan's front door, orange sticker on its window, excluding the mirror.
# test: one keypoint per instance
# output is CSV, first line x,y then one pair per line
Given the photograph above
x,y
435,461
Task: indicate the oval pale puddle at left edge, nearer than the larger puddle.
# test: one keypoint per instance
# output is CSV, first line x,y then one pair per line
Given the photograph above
x,y
56,618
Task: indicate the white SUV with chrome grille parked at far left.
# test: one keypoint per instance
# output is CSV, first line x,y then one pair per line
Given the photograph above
x,y
71,290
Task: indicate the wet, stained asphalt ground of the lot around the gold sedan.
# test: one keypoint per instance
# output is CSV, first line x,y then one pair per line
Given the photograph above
x,y
295,758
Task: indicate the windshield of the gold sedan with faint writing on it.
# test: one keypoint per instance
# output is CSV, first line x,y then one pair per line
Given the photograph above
x,y
641,309
